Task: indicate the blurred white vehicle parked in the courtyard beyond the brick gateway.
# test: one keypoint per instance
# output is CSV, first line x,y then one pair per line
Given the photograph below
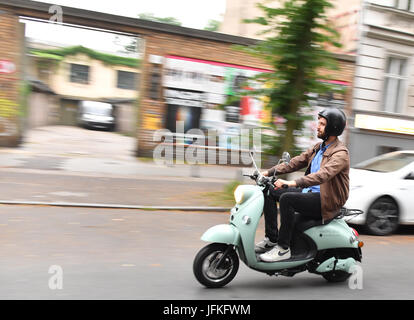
x,y
94,114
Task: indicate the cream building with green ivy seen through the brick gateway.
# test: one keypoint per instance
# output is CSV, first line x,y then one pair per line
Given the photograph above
x,y
78,73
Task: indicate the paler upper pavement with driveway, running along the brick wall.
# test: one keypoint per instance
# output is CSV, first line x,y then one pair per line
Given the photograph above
x,y
99,153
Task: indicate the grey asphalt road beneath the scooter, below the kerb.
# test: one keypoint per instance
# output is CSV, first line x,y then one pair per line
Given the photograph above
x,y
132,254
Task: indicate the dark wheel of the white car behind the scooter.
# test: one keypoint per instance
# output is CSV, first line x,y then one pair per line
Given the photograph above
x,y
382,217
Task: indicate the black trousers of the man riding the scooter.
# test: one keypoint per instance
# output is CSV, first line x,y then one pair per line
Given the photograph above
x,y
290,200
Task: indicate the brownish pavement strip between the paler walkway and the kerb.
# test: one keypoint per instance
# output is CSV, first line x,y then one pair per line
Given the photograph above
x,y
23,185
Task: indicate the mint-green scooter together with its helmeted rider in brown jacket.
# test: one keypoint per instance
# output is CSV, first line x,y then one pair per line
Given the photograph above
x,y
321,241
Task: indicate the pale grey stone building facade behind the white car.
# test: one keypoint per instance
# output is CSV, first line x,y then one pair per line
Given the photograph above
x,y
383,97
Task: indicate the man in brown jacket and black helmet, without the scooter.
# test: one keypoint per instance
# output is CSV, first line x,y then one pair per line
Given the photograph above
x,y
319,194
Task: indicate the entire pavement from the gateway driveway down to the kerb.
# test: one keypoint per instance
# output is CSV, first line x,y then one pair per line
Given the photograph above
x,y
68,165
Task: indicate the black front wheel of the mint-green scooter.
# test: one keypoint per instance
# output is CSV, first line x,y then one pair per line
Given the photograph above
x,y
216,265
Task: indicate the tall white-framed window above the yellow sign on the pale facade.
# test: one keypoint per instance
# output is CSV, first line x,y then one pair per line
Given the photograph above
x,y
395,89
